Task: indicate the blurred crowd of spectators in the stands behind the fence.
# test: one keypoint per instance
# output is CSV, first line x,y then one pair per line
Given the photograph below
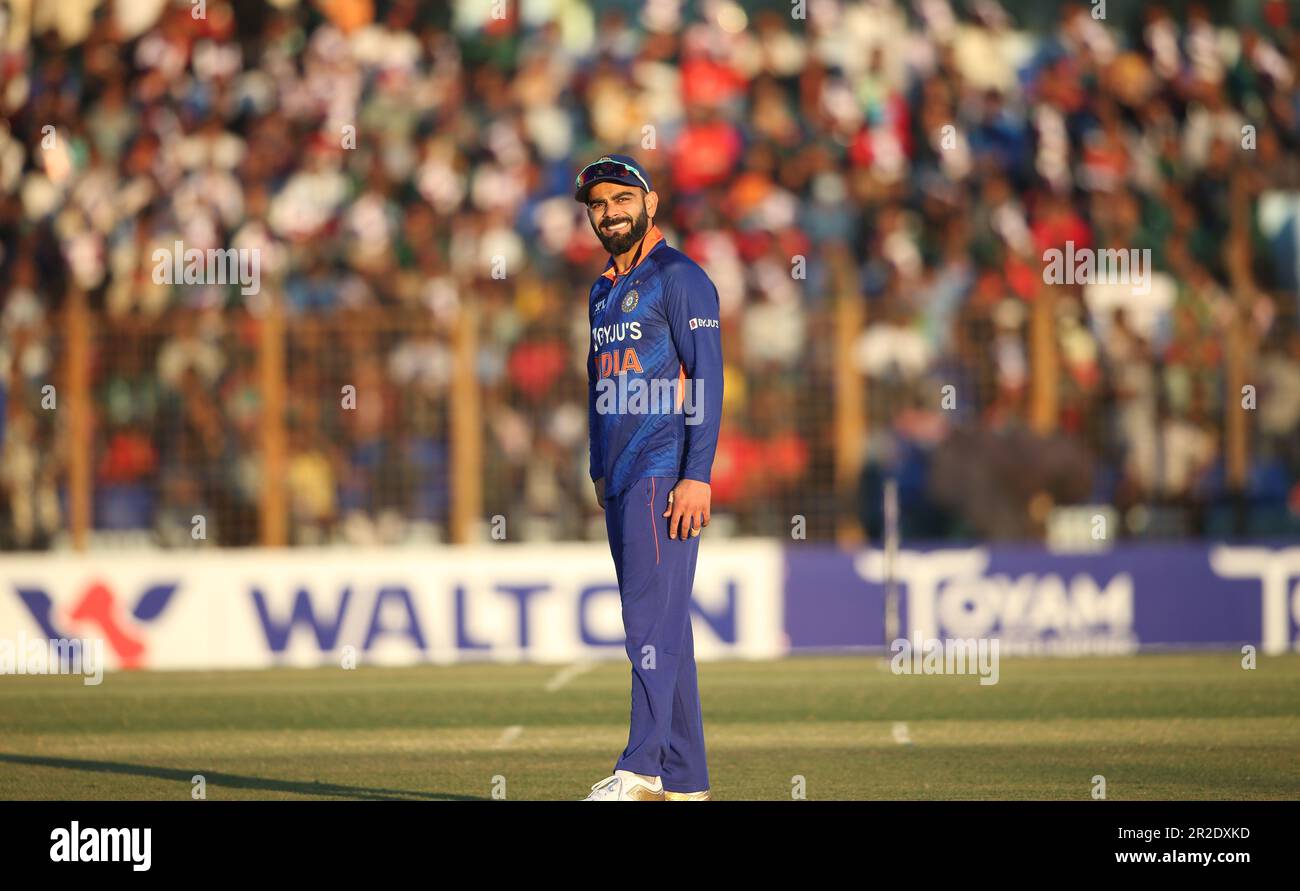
x,y
397,162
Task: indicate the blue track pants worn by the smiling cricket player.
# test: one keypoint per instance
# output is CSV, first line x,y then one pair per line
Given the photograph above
x,y
656,577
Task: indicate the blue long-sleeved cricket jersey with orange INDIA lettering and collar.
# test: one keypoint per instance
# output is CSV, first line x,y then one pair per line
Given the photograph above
x,y
655,370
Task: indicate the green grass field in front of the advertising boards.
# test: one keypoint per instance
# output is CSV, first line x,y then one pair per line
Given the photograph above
x,y
1164,726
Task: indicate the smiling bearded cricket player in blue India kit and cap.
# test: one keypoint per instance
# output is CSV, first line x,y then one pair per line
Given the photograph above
x,y
656,374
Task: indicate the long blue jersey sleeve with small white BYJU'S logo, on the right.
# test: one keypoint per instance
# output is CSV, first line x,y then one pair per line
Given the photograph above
x,y
695,321
